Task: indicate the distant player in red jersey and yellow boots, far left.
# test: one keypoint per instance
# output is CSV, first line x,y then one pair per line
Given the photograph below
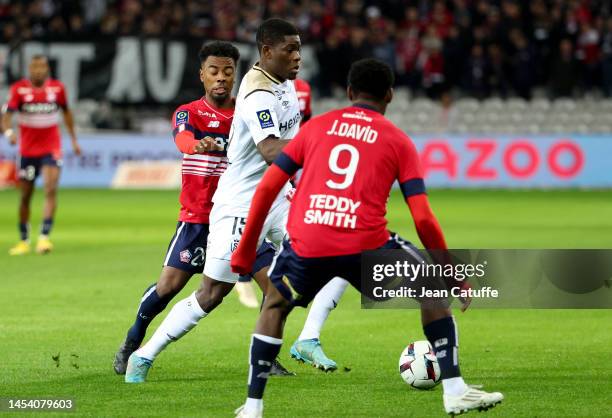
x,y
38,101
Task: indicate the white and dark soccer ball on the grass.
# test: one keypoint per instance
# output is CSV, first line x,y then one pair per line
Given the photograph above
x,y
419,366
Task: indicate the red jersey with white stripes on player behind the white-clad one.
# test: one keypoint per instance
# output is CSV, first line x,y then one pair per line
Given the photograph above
x,y
201,171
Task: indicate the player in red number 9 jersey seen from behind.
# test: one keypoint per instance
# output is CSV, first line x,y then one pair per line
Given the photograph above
x,y
350,158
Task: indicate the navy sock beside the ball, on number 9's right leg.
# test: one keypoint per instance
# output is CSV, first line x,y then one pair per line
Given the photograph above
x,y
442,334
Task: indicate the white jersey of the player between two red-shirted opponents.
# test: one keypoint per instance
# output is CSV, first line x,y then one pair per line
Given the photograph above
x,y
264,107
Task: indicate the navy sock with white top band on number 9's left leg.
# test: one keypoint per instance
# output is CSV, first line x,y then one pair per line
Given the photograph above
x,y
264,350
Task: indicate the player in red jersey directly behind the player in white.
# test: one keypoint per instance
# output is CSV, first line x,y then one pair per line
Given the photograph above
x,y
201,130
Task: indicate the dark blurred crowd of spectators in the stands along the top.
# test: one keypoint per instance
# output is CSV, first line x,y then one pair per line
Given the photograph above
x,y
520,39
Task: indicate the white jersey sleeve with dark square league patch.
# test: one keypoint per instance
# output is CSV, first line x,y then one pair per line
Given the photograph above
x,y
260,116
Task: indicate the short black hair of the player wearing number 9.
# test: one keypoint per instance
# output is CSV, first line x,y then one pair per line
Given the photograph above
x,y
371,76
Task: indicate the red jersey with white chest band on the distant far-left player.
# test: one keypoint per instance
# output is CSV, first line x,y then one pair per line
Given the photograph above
x,y
38,116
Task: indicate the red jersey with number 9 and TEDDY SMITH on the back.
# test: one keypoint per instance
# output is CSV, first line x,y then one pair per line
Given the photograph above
x,y
350,157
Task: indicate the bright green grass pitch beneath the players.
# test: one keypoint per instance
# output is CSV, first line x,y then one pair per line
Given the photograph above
x,y
79,301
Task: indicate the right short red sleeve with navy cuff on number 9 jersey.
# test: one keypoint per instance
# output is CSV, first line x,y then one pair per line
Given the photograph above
x,y
410,173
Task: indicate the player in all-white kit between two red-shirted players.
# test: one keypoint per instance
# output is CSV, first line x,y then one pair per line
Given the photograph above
x,y
267,115
